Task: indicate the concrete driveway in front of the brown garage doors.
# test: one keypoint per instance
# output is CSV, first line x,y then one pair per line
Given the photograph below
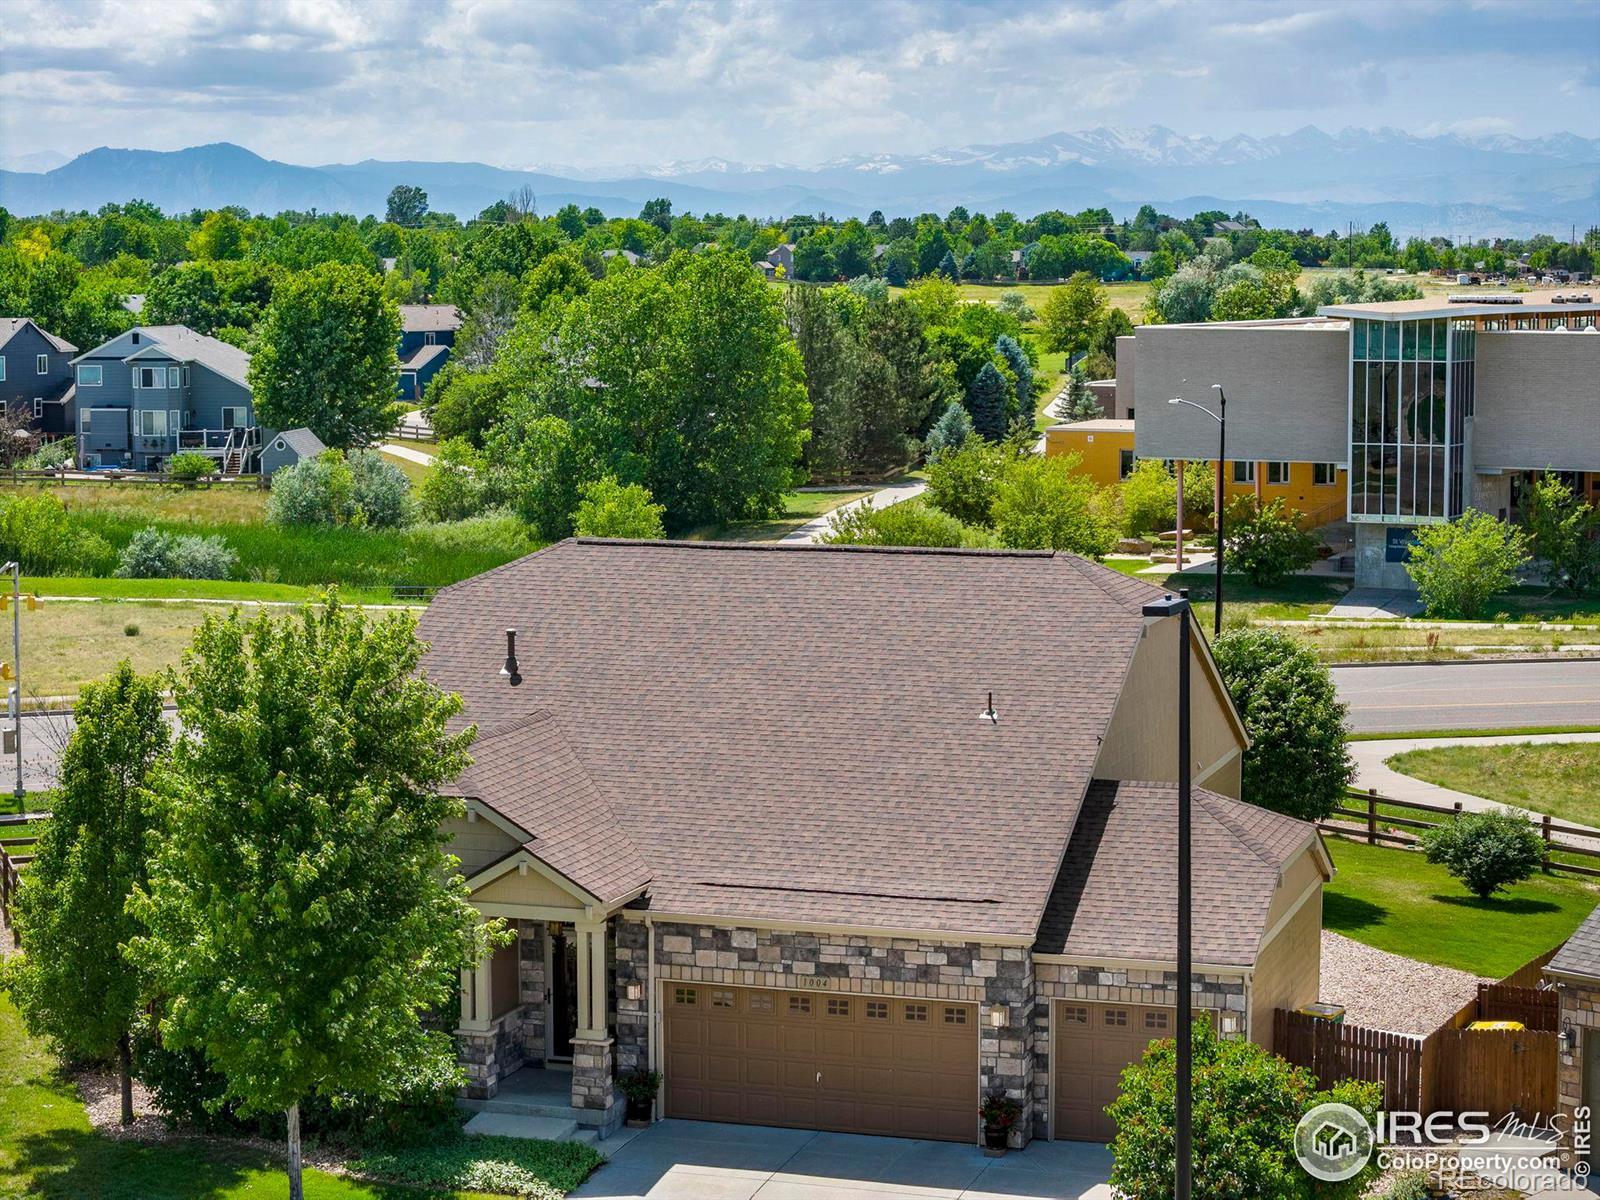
x,y
702,1161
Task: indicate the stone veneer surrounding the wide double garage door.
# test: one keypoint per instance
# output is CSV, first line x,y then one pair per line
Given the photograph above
x,y
985,975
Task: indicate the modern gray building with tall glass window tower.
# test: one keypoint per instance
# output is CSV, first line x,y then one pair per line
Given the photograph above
x,y
1423,407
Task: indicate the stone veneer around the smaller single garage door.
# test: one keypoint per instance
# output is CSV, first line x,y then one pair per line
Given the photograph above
x,y
1103,983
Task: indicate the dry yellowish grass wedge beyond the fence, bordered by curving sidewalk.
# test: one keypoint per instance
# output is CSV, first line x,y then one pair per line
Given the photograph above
x,y
1554,778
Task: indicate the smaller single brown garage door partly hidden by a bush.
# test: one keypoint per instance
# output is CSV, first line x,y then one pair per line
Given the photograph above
x,y
1092,1047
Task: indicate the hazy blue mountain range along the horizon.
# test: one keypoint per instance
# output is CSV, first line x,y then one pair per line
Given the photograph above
x,y
1305,180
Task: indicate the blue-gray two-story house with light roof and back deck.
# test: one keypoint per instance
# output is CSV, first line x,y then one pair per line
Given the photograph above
x,y
159,390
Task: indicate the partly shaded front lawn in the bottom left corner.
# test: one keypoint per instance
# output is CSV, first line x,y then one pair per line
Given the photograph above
x,y
50,1151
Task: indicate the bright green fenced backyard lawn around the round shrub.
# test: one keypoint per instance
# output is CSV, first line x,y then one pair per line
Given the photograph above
x,y
1398,902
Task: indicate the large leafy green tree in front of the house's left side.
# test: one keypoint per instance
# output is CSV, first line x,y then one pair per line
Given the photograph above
x,y
302,911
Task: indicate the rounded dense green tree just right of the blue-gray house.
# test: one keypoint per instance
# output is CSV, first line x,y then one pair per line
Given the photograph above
x,y
327,356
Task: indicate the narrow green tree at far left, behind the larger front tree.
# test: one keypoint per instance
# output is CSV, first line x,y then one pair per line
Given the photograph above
x,y
71,982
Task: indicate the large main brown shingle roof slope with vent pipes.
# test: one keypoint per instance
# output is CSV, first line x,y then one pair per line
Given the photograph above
x,y
794,732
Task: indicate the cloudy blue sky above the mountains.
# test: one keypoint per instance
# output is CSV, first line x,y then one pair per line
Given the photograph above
x,y
522,82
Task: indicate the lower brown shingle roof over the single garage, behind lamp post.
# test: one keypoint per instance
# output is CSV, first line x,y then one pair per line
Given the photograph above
x,y
1118,892
